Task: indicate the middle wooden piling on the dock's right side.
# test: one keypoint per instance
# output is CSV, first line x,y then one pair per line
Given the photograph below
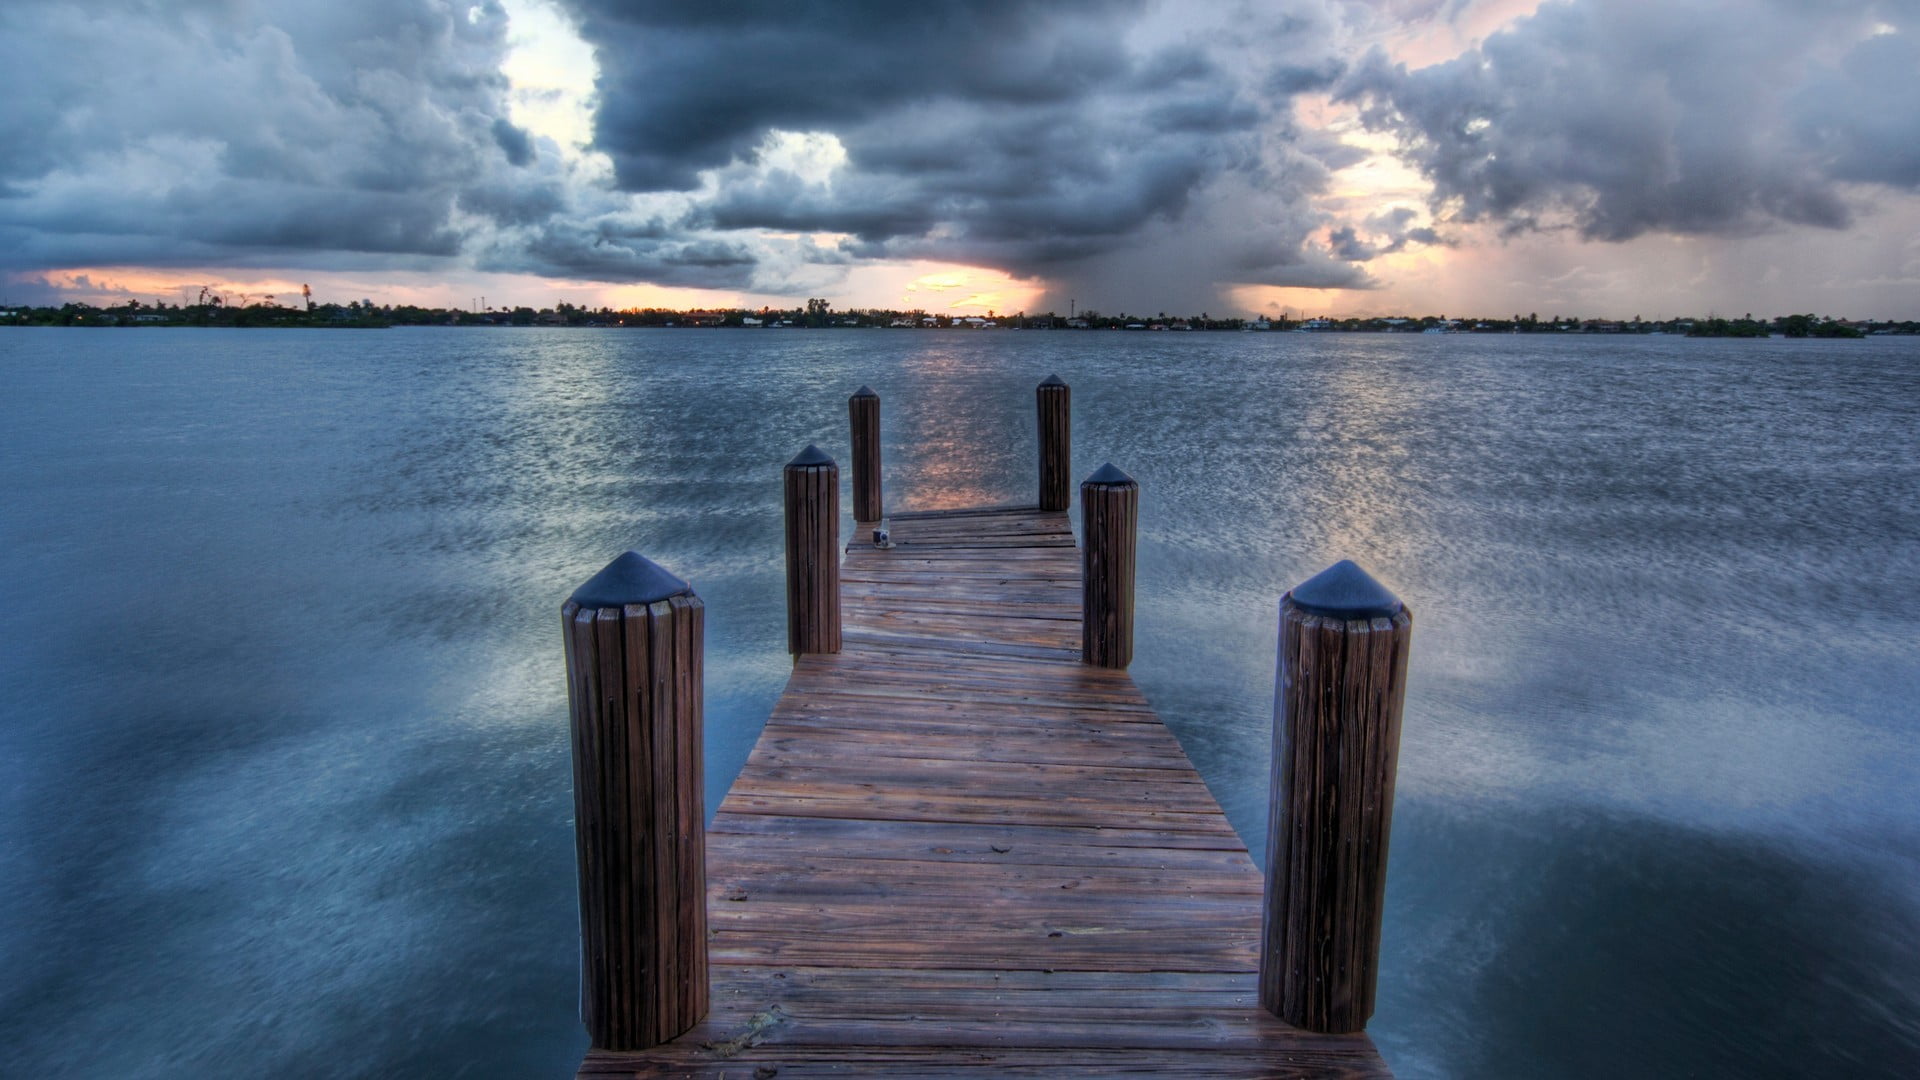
x,y
1111,510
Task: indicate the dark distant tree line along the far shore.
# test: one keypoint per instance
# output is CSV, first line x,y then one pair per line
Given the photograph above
x,y
819,314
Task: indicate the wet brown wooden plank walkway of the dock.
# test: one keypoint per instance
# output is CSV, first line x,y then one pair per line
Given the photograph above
x,y
961,852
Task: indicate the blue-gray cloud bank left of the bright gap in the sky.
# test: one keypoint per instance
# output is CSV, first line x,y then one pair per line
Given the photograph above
x,y
170,134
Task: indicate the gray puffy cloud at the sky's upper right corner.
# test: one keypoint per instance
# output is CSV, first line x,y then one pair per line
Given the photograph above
x,y
1643,116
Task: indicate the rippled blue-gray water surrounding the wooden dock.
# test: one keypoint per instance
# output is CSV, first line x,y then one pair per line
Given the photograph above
x,y
283,762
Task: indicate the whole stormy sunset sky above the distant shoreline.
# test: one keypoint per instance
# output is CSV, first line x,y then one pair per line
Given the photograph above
x,y
1602,159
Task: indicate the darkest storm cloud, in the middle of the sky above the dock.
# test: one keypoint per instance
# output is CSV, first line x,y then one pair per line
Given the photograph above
x,y
1040,139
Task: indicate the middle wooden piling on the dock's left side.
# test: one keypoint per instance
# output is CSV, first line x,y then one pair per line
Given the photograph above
x,y
813,554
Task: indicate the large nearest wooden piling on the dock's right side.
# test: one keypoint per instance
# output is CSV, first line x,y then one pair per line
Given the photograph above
x,y
1337,702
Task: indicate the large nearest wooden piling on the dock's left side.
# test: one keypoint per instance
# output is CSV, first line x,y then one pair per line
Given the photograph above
x,y
635,637
